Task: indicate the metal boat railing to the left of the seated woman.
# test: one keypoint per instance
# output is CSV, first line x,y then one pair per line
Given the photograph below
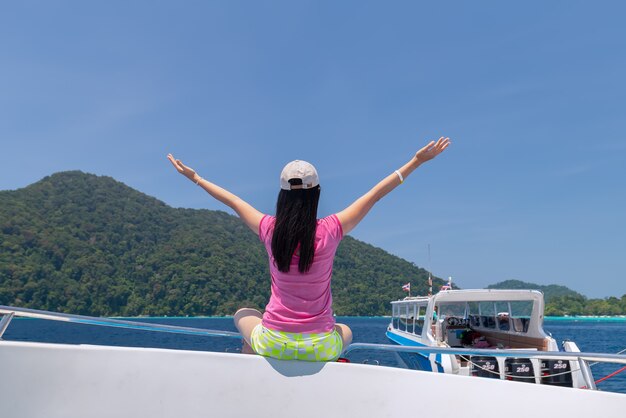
x,y
8,313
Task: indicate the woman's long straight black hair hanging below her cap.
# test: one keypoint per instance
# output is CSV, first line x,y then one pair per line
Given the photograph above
x,y
296,220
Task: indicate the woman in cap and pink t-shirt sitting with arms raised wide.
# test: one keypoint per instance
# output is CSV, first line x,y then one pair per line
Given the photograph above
x,y
298,322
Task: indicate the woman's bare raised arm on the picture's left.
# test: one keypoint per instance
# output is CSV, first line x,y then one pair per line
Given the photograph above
x,y
246,212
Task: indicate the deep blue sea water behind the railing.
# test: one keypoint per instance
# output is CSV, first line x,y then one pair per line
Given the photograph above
x,y
599,335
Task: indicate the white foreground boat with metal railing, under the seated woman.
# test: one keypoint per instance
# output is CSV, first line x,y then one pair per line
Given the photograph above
x,y
61,380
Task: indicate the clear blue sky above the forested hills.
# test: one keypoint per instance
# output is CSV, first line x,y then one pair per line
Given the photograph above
x,y
533,95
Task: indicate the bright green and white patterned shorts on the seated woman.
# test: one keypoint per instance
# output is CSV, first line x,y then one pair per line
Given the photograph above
x,y
294,346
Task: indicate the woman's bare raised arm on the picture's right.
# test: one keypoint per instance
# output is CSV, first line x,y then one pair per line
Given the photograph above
x,y
353,214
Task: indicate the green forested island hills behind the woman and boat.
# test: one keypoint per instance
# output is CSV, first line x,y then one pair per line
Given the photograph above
x,y
86,244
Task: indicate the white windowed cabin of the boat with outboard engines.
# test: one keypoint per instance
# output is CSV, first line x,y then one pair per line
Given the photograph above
x,y
474,318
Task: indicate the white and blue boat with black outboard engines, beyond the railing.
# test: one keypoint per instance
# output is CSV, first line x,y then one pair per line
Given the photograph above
x,y
485,323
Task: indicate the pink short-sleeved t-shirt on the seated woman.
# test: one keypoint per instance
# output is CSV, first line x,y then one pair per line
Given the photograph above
x,y
301,302
